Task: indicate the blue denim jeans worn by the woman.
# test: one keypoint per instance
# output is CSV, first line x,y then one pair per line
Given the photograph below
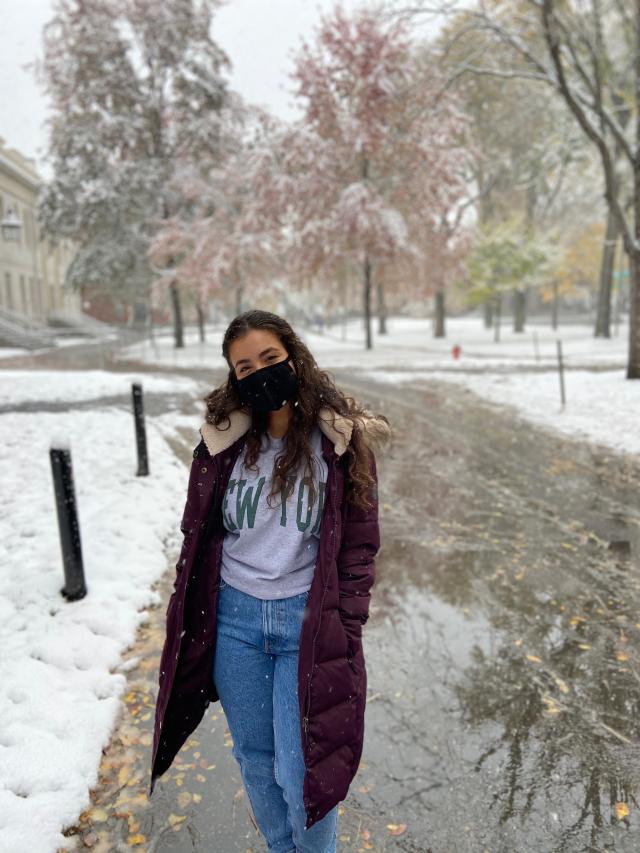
x,y
256,676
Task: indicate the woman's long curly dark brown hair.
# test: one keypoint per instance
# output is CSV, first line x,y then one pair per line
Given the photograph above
x,y
315,390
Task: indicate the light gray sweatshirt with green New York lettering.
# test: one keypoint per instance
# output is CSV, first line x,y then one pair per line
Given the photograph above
x,y
270,551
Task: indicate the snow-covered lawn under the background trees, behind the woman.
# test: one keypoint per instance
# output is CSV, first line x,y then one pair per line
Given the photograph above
x,y
601,405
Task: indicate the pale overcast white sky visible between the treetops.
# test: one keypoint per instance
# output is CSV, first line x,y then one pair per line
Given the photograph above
x,y
259,36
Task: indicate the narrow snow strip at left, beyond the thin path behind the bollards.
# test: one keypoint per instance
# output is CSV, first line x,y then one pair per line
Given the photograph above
x,y
52,386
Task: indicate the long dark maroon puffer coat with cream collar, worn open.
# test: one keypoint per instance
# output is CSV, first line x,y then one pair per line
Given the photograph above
x,y
332,678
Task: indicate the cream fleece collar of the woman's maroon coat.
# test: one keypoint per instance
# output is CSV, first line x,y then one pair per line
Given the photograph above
x,y
338,428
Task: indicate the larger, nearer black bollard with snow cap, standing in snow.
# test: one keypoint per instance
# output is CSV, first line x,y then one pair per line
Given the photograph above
x,y
74,585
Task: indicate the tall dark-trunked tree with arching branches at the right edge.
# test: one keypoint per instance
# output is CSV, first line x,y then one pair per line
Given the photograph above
x,y
591,58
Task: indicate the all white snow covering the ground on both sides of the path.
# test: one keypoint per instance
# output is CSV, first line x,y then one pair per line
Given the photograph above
x,y
60,663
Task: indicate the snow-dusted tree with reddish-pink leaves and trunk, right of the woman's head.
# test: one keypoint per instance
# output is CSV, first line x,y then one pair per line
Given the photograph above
x,y
373,150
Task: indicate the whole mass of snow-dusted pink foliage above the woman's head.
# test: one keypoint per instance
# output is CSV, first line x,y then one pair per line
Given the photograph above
x,y
375,167
